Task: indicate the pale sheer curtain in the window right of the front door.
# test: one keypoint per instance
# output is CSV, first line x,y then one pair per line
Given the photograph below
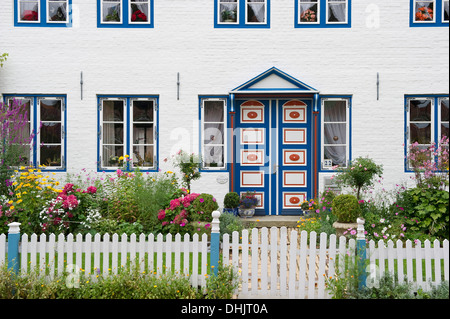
x,y
335,132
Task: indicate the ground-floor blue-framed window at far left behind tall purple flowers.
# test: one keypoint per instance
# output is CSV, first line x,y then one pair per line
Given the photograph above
x,y
47,117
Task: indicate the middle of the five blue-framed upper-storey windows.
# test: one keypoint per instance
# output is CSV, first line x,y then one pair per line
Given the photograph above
x,y
242,13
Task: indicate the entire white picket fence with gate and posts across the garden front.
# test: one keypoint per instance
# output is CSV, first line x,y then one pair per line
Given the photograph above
x,y
271,263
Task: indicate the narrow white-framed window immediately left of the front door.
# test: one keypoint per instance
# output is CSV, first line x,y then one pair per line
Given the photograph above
x,y
213,133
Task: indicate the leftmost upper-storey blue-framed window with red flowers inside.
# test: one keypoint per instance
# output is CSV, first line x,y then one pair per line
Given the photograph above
x,y
43,13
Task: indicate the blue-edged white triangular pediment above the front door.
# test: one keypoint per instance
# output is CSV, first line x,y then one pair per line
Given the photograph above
x,y
274,81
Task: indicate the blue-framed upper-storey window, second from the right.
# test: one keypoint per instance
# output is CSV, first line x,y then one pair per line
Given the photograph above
x,y
323,13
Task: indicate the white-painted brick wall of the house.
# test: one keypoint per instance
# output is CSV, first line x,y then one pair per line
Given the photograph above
x,y
214,61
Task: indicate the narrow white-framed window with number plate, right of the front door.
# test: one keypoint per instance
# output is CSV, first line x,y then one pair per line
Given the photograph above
x,y
335,137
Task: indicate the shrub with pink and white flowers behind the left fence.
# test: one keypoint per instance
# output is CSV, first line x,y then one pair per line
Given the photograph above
x,y
72,211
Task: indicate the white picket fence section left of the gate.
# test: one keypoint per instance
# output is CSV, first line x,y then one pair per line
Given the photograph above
x,y
93,255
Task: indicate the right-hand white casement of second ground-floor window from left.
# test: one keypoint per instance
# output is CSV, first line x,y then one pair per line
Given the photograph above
x,y
143,122
